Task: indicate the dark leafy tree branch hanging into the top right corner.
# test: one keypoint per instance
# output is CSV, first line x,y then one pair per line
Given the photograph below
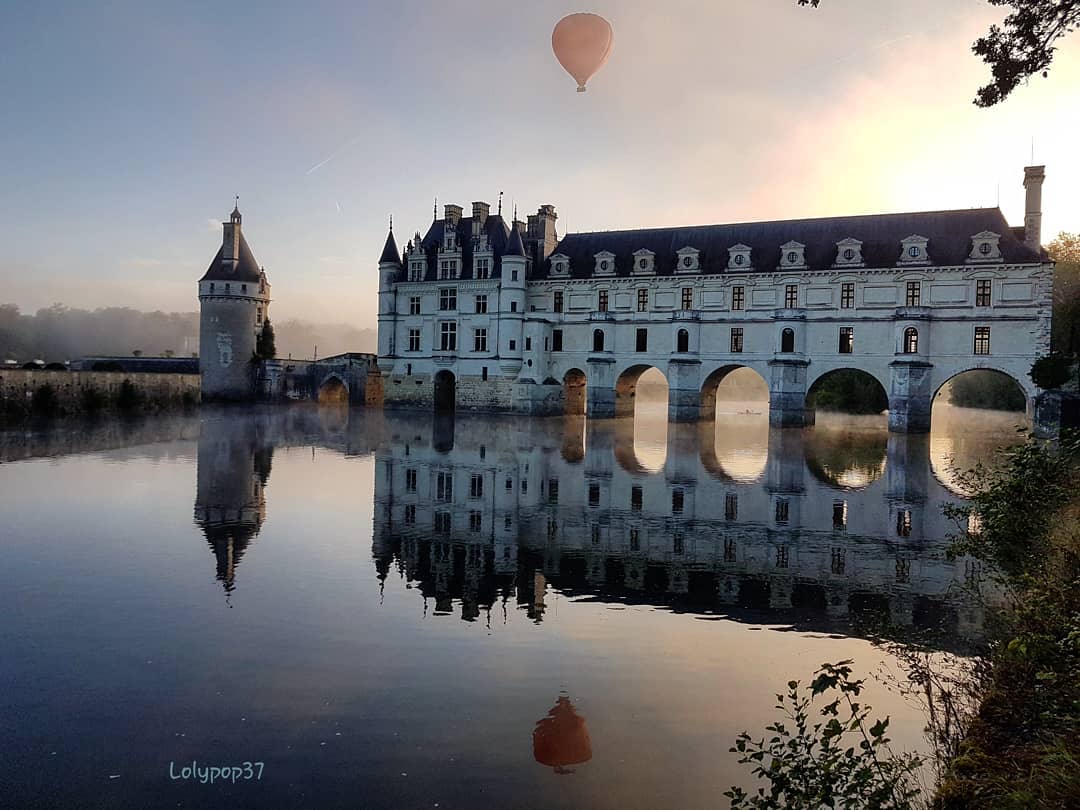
x,y
1022,47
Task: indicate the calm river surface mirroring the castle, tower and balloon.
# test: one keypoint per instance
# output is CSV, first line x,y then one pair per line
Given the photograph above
x,y
390,611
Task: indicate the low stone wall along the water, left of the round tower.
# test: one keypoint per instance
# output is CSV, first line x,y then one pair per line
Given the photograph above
x,y
80,393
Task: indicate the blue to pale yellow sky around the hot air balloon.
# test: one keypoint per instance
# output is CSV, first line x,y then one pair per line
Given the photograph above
x,y
128,129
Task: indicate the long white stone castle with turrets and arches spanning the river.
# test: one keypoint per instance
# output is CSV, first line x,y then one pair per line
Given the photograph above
x,y
482,315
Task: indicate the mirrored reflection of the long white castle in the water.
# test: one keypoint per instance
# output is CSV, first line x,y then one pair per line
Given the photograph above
x,y
819,525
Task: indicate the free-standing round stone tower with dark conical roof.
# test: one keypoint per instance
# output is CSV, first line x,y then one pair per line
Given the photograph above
x,y
234,304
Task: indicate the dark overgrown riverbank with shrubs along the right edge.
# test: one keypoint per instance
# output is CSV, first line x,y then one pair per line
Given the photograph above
x,y
1023,748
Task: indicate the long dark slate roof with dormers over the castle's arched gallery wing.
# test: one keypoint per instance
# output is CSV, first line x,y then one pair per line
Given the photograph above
x,y
950,234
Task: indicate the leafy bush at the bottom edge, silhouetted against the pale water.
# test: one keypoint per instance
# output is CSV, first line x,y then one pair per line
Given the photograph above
x,y
842,762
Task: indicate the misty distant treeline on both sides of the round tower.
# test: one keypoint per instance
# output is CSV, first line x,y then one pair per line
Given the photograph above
x,y
60,333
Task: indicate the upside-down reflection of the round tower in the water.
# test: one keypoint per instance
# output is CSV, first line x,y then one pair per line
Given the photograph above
x,y
234,467
